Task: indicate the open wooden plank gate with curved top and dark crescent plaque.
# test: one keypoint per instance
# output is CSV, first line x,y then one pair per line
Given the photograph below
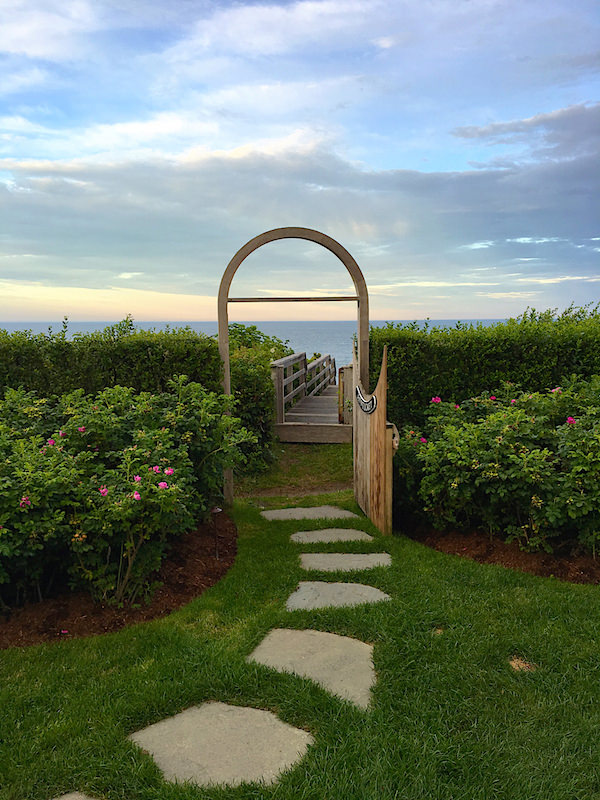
x,y
375,442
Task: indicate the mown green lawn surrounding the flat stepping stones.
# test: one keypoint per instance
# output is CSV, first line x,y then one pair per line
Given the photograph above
x,y
450,719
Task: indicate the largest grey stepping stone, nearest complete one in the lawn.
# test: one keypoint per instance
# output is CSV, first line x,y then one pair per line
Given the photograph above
x,y
216,743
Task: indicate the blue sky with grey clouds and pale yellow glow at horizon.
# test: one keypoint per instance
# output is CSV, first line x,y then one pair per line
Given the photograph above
x,y
452,146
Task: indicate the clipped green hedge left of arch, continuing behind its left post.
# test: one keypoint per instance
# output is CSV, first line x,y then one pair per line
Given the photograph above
x,y
52,364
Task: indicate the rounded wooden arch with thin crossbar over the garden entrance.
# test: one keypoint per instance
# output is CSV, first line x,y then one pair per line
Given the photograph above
x,y
361,297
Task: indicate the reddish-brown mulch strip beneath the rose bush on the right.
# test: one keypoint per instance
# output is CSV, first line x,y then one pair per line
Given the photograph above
x,y
566,563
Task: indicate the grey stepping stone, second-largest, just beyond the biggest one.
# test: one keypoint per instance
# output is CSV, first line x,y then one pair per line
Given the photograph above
x,y
342,665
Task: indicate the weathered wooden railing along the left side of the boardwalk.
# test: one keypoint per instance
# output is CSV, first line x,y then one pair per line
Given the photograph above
x,y
294,378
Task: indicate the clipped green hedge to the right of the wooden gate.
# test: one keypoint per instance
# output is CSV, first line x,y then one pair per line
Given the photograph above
x,y
535,350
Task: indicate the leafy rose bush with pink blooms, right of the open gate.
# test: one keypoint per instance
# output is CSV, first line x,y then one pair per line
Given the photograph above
x,y
517,464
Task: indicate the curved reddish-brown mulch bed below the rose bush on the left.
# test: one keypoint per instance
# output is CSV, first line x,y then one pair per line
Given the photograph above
x,y
191,568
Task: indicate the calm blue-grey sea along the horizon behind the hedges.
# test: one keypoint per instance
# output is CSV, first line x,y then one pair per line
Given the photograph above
x,y
311,337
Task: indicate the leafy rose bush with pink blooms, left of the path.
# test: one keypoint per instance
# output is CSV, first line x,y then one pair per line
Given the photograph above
x,y
93,488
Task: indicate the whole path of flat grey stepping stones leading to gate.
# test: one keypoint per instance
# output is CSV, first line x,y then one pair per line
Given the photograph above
x,y
220,744
